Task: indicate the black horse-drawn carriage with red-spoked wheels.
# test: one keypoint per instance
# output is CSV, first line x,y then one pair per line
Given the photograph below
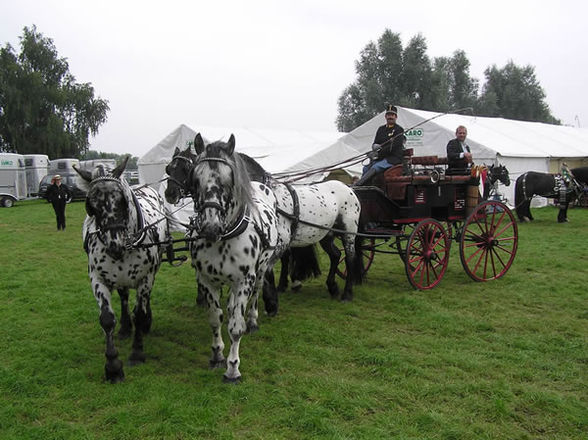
x,y
416,210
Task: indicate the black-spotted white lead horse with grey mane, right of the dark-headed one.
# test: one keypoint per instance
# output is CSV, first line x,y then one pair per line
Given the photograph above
x,y
235,238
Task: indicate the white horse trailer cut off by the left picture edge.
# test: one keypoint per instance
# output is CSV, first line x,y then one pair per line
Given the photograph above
x,y
13,179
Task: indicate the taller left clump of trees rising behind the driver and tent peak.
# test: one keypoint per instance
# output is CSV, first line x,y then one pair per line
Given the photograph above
x,y
387,73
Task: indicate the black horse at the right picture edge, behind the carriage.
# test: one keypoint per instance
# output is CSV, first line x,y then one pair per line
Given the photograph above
x,y
552,186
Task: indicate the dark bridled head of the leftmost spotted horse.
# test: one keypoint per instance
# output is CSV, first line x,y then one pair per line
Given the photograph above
x,y
108,201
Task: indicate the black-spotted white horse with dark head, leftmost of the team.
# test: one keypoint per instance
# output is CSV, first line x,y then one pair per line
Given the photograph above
x,y
120,233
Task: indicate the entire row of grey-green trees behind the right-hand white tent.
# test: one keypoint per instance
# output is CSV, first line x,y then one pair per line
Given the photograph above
x,y
406,76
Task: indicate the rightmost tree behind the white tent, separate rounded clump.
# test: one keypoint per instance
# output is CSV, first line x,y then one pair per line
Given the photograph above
x,y
514,92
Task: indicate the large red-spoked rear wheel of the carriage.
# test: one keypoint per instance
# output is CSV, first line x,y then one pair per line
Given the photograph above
x,y
489,241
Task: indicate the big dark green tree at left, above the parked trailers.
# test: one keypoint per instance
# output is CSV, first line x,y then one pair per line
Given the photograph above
x,y
42,108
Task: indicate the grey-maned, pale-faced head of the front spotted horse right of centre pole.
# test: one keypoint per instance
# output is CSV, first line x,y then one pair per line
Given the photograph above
x,y
220,187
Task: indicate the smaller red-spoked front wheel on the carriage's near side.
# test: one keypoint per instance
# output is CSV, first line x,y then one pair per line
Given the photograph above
x,y
427,254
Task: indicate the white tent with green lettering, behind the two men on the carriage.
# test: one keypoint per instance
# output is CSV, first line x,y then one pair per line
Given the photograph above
x,y
520,146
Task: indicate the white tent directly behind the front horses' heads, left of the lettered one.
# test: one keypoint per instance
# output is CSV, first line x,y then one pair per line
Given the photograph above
x,y
275,150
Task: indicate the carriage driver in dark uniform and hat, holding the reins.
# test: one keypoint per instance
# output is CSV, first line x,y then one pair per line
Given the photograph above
x,y
388,146
